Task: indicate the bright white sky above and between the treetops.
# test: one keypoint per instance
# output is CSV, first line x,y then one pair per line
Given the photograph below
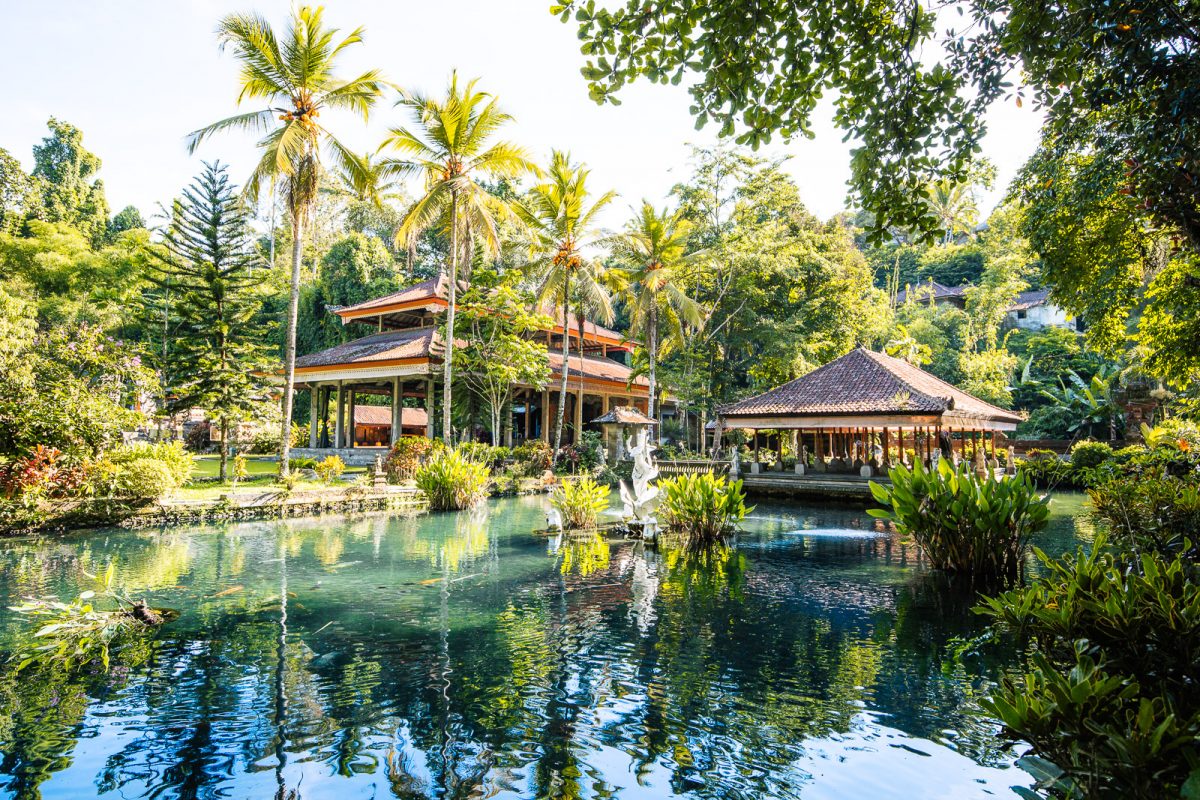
x,y
136,77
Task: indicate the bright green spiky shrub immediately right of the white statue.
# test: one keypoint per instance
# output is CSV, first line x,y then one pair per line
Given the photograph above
x,y
703,506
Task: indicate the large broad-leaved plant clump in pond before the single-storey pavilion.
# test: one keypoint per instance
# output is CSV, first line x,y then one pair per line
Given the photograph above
x,y
962,522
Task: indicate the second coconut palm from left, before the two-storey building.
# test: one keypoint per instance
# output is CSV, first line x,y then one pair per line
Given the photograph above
x,y
451,146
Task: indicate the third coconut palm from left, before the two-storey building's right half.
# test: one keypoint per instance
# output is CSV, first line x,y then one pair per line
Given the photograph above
x,y
562,226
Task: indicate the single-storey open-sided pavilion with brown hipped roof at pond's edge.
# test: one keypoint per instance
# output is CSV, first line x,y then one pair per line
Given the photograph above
x,y
869,411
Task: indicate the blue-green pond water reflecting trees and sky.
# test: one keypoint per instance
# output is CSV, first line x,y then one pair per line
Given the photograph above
x,y
465,655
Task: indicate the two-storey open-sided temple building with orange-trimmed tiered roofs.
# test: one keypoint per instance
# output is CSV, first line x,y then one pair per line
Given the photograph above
x,y
401,360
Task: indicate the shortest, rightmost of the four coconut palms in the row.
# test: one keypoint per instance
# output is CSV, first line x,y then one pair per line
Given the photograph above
x,y
653,257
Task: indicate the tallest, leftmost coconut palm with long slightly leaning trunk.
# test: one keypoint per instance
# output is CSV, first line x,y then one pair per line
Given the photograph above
x,y
296,79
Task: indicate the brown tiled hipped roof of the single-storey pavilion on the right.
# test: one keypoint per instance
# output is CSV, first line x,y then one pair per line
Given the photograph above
x,y
867,383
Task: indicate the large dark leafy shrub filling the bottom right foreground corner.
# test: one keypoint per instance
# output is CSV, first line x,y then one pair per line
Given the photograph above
x,y
1111,697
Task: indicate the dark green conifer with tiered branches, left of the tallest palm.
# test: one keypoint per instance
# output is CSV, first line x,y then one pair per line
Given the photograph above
x,y
208,263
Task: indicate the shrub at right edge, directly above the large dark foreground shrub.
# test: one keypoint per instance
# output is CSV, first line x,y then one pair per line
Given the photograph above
x,y
1147,513
